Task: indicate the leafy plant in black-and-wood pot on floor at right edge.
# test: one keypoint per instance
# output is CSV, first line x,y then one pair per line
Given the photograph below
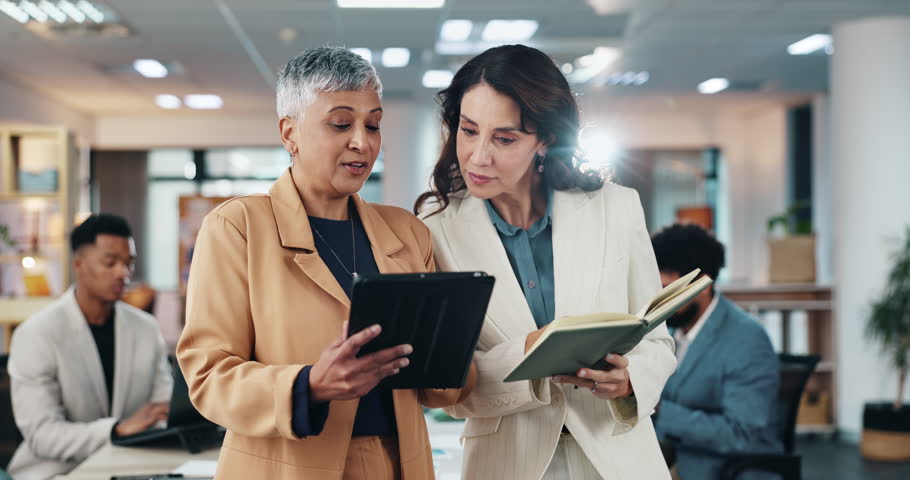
x,y
886,425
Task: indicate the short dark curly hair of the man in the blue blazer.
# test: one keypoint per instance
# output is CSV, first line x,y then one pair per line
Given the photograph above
x,y
683,248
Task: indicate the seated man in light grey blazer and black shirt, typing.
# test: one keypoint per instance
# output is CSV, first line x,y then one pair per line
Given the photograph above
x,y
88,367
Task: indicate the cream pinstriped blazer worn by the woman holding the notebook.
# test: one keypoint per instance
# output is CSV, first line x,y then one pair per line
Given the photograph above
x,y
603,261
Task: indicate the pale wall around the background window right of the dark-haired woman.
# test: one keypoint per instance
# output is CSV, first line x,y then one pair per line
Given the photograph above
x,y
753,142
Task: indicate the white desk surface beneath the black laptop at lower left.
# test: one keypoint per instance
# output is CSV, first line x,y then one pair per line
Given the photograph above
x,y
112,460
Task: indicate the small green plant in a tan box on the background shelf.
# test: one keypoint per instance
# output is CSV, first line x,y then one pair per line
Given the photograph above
x,y
791,246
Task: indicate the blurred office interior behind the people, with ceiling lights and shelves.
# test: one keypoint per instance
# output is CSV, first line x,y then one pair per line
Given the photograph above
x,y
727,113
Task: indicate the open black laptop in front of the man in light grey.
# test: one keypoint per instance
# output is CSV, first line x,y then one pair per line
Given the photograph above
x,y
186,428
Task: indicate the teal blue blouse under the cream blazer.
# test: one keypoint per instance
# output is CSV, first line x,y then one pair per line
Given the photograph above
x,y
531,254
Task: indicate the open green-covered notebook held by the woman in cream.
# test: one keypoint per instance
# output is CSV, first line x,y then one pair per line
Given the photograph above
x,y
571,343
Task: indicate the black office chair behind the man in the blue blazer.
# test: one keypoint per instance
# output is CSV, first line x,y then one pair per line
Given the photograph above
x,y
795,371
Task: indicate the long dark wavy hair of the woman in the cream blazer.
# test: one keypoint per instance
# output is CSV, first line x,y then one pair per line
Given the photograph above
x,y
530,78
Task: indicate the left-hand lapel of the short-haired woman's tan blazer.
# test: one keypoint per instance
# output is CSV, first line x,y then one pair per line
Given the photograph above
x,y
295,233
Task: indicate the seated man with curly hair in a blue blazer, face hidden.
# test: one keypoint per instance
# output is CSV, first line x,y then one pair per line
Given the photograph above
x,y
722,399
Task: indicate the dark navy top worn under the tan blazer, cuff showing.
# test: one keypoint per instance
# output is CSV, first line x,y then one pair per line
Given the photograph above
x,y
376,411
